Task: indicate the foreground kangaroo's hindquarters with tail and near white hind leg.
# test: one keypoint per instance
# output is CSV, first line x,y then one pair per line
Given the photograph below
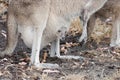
x,y
29,19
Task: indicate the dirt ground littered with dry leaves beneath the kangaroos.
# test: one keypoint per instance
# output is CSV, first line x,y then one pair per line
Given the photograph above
x,y
98,61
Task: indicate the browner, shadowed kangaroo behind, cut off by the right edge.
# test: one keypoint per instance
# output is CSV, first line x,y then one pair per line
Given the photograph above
x,y
114,12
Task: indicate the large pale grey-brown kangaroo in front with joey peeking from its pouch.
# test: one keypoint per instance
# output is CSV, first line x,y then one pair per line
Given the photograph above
x,y
35,19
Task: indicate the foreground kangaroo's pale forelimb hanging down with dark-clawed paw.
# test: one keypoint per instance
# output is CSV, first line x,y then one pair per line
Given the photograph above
x,y
90,8
